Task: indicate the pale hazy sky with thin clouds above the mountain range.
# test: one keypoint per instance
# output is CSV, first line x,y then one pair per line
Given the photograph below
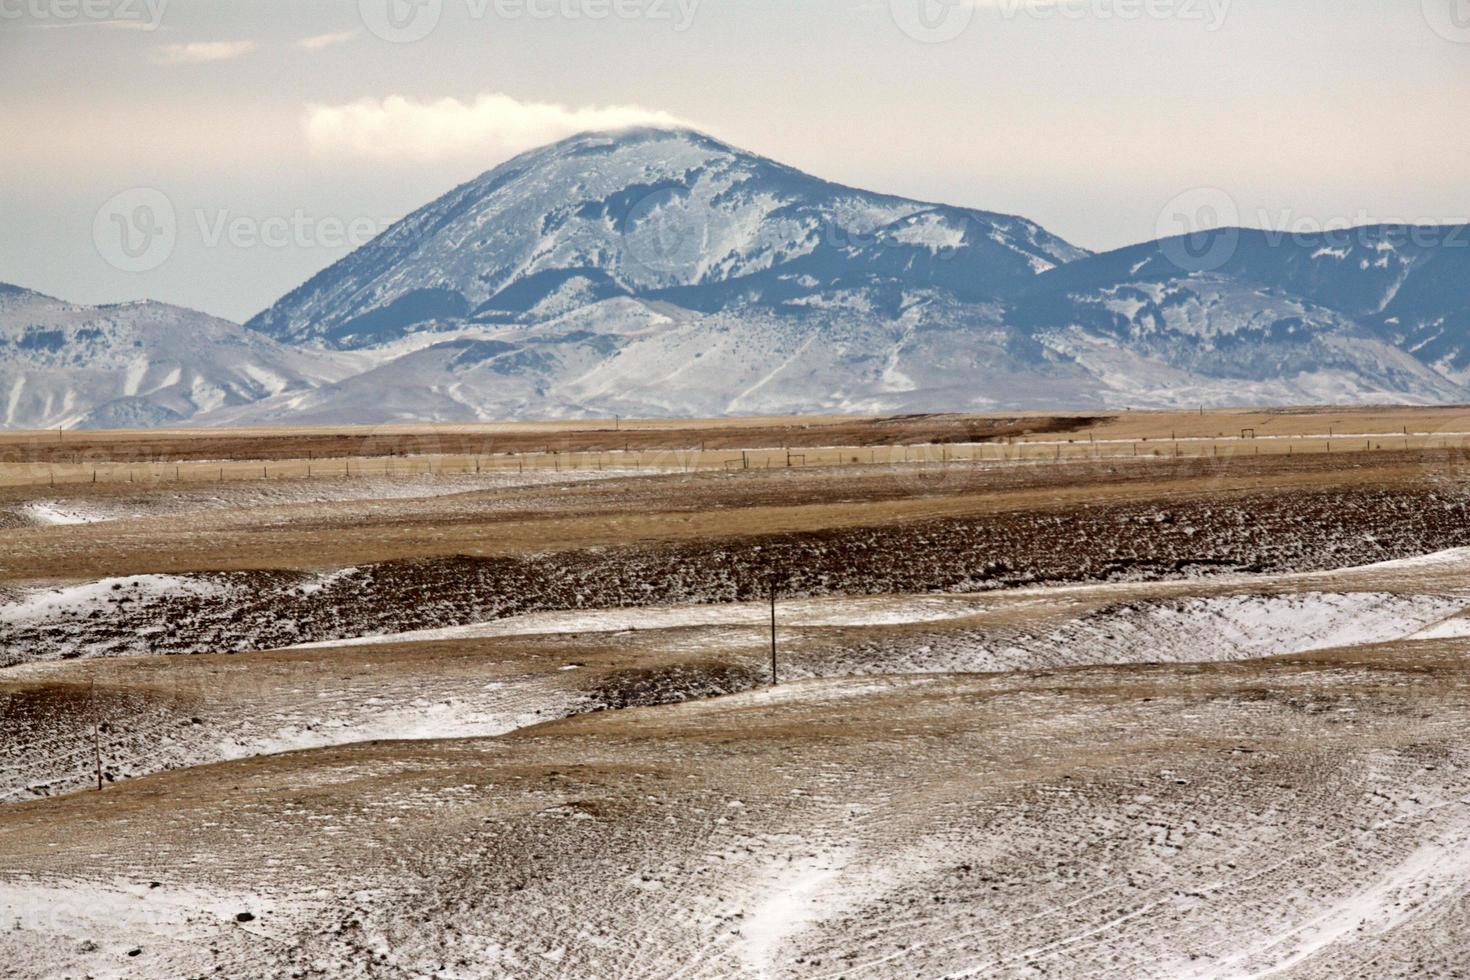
x,y
262,140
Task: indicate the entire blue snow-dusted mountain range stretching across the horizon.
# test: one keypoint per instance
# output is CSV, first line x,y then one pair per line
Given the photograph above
x,y
662,273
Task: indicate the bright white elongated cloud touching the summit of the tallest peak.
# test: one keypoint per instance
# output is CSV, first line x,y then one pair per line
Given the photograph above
x,y
493,127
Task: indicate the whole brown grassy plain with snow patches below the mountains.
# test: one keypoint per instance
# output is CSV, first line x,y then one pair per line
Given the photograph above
x,y
1144,696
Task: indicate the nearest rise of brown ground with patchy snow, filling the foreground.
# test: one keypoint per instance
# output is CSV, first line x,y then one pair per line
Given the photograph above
x,y
1180,824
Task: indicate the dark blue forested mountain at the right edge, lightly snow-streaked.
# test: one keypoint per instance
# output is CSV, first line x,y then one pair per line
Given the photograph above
x,y
1333,317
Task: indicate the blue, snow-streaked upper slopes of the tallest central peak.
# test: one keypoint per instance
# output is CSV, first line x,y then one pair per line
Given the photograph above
x,y
652,214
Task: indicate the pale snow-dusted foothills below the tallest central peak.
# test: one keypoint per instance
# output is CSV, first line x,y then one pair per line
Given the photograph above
x,y
637,358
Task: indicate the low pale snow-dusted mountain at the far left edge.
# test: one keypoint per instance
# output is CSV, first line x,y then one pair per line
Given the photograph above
x,y
137,364
